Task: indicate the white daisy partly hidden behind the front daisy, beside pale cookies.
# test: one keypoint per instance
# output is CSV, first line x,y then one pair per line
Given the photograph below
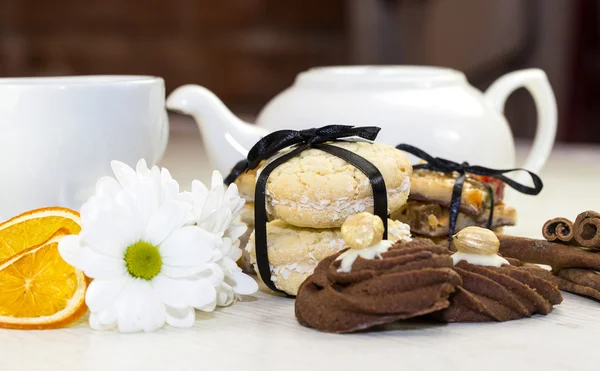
x,y
216,211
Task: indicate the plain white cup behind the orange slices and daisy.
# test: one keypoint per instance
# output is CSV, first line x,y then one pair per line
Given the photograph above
x,y
58,135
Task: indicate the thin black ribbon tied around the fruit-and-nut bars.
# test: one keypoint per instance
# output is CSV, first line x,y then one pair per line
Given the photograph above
x,y
448,167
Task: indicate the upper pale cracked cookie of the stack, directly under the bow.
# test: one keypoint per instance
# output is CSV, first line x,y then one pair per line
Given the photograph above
x,y
318,190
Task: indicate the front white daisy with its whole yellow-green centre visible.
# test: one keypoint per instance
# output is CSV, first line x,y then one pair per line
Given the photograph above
x,y
148,266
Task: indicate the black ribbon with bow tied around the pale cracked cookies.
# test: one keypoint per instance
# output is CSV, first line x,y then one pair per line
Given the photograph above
x,y
273,143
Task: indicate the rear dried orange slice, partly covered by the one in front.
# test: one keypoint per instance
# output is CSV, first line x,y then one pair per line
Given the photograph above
x,y
35,227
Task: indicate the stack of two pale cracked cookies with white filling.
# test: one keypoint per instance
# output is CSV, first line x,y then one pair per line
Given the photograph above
x,y
311,195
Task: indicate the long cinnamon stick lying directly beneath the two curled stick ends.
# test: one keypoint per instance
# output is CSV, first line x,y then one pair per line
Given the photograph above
x,y
556,255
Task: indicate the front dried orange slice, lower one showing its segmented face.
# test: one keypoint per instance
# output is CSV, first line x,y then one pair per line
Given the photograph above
x,y
39,290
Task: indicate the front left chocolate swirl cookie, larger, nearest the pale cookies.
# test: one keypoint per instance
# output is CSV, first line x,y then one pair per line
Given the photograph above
x,y
410,279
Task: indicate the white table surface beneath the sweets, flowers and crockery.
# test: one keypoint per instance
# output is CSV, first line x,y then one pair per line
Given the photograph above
x,y
262,333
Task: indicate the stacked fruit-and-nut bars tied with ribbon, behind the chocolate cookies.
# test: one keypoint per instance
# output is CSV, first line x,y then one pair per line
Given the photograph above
x,y
427,210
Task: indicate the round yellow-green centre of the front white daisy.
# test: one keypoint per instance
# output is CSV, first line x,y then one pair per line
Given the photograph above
x,y
143,260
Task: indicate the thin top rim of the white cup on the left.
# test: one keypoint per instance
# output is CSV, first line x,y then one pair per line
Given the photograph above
x,y
79,80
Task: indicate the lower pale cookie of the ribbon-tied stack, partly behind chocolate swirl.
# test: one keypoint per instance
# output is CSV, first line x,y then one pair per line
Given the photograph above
x,y
294,252
